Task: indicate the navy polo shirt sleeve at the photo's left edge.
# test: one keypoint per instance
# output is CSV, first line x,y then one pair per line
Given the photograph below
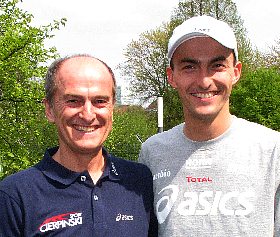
x,y
11,216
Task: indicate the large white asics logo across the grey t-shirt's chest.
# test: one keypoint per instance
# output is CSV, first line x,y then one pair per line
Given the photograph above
x,y
204,203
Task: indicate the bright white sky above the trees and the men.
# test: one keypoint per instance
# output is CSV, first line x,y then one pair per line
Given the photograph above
x,y
104,28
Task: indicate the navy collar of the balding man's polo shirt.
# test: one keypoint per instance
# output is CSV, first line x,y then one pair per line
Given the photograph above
x,y
59,173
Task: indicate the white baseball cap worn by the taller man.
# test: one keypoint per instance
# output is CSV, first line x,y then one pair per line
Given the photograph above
x,y
200,26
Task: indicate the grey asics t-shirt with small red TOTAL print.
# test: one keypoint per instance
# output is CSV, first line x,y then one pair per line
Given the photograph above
x,y
222,187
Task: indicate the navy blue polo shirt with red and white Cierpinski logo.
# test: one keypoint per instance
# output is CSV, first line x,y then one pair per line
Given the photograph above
x,y
50,200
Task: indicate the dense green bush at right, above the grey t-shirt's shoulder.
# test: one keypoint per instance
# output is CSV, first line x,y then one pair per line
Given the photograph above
x,y
256,97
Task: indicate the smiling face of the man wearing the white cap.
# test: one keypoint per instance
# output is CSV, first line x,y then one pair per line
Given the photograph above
x,y
203,74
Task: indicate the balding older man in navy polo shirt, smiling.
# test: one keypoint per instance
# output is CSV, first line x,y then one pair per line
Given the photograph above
x,y
79,189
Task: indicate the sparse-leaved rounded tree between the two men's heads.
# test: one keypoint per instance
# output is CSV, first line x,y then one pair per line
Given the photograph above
x,y
146,63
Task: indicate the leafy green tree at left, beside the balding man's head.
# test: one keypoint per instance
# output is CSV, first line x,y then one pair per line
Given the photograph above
x,y
22,56
